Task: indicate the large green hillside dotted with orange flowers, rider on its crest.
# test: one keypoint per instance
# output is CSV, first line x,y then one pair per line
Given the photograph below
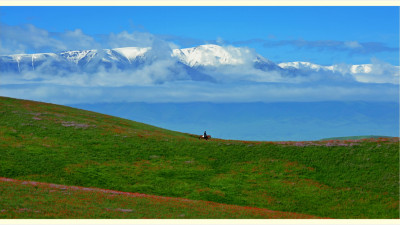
x,y
57,144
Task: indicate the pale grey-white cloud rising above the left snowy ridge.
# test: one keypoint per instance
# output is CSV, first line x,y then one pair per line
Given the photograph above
x,y
31,39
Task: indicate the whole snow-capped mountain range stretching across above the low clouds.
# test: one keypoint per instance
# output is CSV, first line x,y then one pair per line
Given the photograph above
x,y
204,62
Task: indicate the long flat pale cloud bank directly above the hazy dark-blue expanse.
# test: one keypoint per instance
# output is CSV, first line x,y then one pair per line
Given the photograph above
x,y
189,91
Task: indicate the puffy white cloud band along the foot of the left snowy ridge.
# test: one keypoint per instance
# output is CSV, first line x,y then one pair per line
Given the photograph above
x,y
157,72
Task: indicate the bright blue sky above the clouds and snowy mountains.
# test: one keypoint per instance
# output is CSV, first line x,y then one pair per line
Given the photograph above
x,y
323,35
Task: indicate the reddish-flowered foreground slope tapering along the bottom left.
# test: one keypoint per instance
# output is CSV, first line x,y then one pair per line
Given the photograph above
x,y
43,200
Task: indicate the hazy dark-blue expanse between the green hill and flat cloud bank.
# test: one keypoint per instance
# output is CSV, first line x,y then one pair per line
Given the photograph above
x,y
263,121
